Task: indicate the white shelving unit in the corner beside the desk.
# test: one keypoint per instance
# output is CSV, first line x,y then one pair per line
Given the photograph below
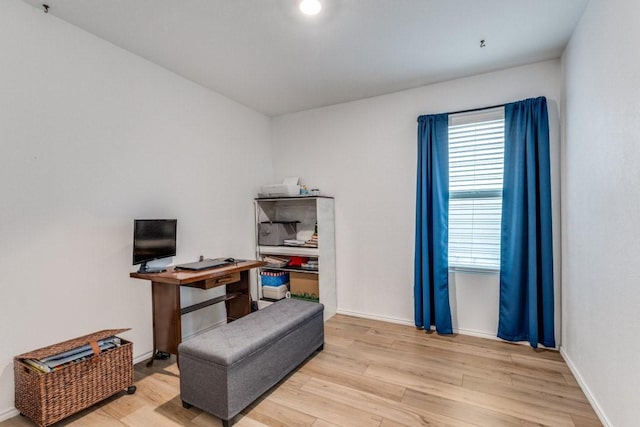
x,y
307,211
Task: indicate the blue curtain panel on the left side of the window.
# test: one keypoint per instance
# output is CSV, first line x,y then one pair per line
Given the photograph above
x,y
431,286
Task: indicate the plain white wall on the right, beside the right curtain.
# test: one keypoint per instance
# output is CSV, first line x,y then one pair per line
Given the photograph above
x,y
601,227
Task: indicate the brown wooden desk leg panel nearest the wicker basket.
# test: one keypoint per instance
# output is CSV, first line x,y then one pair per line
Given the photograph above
x,y
167,325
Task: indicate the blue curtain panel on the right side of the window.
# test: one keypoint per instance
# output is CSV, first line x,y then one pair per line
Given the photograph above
x,y
526,264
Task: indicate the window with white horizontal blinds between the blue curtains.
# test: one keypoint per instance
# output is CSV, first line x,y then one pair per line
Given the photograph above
x,y
476,158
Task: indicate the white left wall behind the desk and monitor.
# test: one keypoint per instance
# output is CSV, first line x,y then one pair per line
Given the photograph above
x,y
93,137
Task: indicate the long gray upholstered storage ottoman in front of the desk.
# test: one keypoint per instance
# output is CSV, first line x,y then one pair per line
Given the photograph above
x,y
224,370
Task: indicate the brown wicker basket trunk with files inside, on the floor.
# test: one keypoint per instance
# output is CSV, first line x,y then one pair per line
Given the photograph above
x,y
49,397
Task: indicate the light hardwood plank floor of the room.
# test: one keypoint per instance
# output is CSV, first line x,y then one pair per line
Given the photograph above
x,y
377,374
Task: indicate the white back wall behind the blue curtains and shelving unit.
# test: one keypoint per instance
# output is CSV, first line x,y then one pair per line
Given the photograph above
x,y
364,154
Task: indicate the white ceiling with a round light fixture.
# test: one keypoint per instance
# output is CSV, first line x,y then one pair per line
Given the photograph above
x,y
268,56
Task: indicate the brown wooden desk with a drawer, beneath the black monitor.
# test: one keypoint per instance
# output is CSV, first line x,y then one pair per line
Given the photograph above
x,y
165,291
